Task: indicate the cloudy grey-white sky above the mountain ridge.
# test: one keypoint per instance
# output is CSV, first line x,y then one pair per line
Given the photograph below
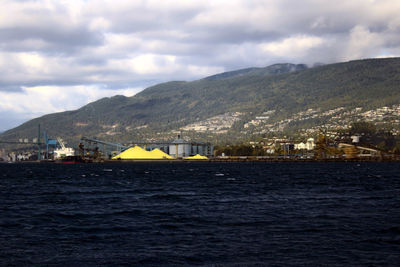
x,y
58,55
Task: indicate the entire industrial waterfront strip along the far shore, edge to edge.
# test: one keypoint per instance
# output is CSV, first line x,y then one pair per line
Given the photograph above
x,y
47,149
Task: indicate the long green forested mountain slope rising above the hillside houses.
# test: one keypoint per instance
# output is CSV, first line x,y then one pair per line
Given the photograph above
x,y
162,110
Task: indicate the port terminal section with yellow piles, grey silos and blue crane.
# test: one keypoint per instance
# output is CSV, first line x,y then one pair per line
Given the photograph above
x,y
44,148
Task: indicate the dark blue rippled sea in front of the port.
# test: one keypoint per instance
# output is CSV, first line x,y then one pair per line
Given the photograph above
x,y
200,213
